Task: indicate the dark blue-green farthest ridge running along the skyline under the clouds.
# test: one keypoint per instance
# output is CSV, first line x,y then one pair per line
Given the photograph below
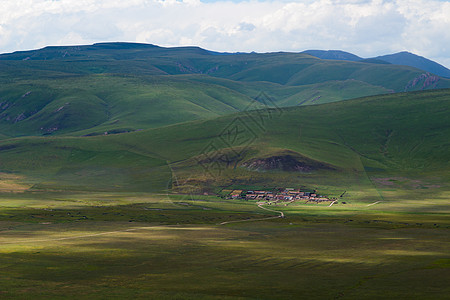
x,y
142,59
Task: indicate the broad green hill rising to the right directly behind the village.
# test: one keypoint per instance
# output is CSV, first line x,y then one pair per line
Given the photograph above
x,y
362,145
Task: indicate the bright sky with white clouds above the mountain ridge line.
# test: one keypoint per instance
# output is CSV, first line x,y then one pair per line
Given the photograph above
x,y
366,28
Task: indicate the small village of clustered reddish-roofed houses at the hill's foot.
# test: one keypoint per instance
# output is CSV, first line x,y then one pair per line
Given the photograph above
x,y
281,196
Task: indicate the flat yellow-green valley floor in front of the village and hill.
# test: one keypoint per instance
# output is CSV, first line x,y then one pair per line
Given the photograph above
x,y
148,246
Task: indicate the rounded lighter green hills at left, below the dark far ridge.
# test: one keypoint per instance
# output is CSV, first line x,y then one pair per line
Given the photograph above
x,y
101,103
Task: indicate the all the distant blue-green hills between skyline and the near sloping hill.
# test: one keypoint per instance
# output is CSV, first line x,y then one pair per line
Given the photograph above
x,y
120,87
